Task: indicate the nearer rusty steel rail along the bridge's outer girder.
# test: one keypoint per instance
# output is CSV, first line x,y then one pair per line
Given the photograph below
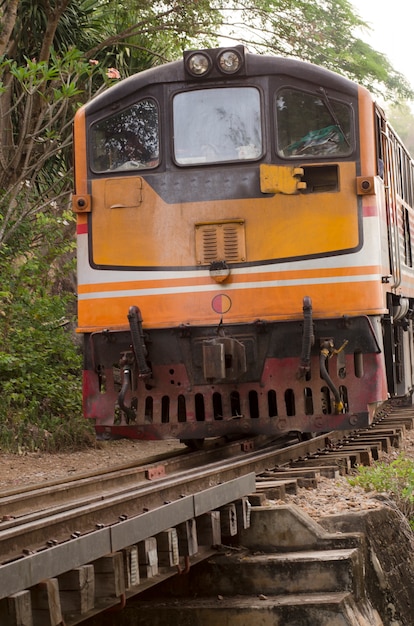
x,y
56,524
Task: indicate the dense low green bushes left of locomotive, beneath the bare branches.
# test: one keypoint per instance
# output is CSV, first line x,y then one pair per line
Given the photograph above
x,y
40,361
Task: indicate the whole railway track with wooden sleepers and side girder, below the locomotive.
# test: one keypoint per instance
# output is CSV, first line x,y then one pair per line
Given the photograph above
x,y
189,502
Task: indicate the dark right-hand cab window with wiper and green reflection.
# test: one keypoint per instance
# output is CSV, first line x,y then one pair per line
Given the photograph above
x,y
312,125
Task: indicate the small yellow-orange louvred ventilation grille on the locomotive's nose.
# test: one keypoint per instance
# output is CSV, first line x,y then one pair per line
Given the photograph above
x,y
220,241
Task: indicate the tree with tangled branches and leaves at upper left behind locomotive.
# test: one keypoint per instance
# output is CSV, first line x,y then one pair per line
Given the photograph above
x,y
44,78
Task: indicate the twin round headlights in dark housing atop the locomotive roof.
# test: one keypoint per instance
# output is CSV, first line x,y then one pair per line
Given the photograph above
x,y
221,61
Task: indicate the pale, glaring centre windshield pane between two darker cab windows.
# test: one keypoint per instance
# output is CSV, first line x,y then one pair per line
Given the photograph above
x,y
216,125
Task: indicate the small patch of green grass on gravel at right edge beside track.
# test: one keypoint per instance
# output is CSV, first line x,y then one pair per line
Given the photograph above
x,y
396,479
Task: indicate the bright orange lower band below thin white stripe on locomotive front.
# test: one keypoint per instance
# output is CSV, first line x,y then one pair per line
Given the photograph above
x,y
247,304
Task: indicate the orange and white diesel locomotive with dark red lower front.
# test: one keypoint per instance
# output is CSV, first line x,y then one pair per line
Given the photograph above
x,y
245,264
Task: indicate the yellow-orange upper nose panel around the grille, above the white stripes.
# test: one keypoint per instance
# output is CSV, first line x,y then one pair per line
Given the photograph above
x,y
150,232
